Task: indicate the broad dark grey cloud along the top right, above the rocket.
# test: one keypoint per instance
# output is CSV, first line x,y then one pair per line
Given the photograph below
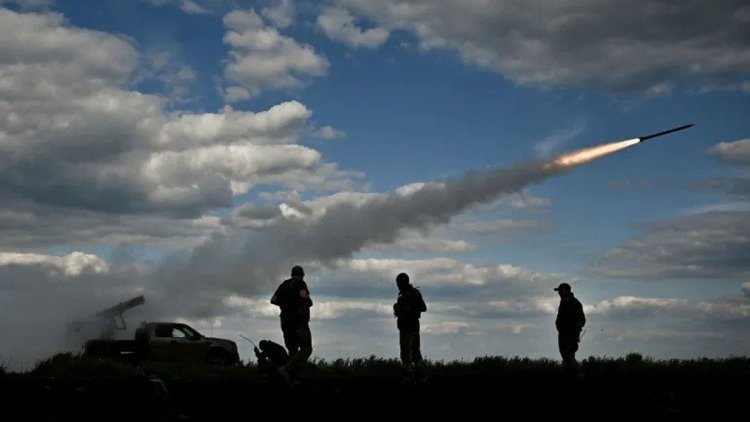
x,y
581,43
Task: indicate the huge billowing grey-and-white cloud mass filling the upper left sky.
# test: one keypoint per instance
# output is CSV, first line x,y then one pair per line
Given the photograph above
x,y
74,137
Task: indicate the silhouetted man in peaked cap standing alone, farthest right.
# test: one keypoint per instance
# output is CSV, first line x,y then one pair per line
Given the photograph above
x,y
569,322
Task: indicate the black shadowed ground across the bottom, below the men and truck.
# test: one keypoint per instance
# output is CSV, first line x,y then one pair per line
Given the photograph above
x,y
490,388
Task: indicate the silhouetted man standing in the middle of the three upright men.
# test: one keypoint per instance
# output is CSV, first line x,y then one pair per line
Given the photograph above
x,y
407,310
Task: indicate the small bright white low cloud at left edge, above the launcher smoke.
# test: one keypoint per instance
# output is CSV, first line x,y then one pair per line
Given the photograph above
x,y
72,265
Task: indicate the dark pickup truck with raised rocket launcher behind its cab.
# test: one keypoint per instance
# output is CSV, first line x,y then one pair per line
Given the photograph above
x,y
166,341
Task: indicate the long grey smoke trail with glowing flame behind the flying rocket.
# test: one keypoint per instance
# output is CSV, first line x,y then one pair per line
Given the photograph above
x,y
324,230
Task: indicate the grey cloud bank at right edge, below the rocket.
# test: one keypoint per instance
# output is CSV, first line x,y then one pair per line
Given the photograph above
x,y
705,245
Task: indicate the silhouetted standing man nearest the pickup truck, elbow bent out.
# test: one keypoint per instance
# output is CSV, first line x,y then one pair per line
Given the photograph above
x,y
293,297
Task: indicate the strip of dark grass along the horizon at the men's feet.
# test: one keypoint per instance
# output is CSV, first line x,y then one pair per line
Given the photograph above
x,y
630,366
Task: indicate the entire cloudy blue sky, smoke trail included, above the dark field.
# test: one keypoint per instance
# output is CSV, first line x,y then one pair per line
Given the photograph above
x,y
193,151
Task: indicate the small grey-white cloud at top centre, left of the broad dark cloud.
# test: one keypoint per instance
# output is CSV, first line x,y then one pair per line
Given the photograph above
x,y
338,24
